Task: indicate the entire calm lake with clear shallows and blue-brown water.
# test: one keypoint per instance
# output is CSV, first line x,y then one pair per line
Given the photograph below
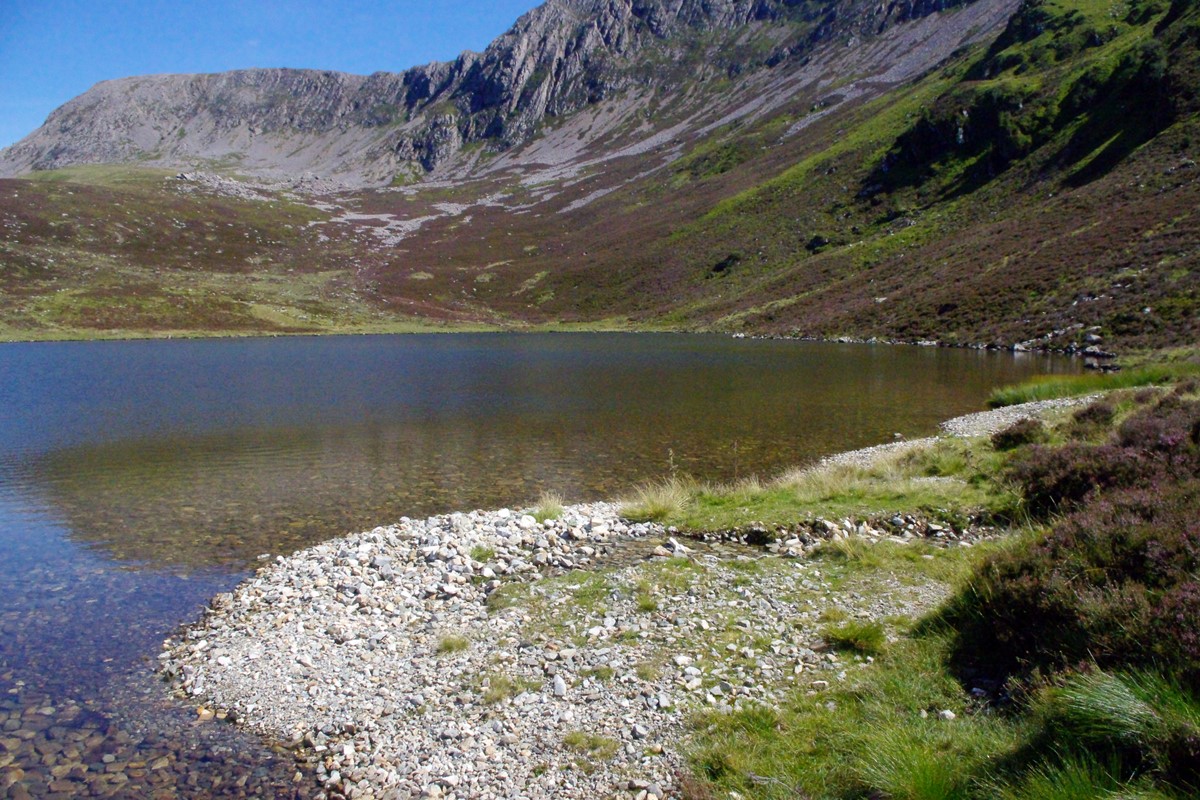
x,y
139,479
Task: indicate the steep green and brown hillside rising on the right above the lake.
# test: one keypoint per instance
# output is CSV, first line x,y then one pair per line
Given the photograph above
x,y
1033,189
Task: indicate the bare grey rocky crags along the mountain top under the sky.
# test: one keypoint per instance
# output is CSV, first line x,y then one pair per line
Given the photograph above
x,y
556,61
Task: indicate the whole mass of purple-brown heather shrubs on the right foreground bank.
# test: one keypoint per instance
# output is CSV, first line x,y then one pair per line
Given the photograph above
x,y
1117,581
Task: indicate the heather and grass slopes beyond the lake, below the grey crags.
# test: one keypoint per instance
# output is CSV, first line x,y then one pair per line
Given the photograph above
x,y
1037,189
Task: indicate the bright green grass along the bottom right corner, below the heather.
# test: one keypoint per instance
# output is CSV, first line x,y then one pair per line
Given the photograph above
x,y
881,736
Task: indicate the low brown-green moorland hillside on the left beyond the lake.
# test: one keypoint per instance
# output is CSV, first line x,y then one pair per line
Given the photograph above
x,y
113,251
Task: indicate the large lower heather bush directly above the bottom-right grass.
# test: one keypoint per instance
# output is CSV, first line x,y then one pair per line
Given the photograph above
x,y
1115,582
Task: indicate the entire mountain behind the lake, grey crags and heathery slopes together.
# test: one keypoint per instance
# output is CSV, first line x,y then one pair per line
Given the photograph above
x,y
995,173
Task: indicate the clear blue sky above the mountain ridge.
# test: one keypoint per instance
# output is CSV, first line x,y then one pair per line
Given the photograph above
x,y
52,51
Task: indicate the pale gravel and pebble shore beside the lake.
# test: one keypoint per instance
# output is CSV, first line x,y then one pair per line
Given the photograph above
x,y
469,654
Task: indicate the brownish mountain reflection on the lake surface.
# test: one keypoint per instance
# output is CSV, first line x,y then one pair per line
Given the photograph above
x,y
586,425
